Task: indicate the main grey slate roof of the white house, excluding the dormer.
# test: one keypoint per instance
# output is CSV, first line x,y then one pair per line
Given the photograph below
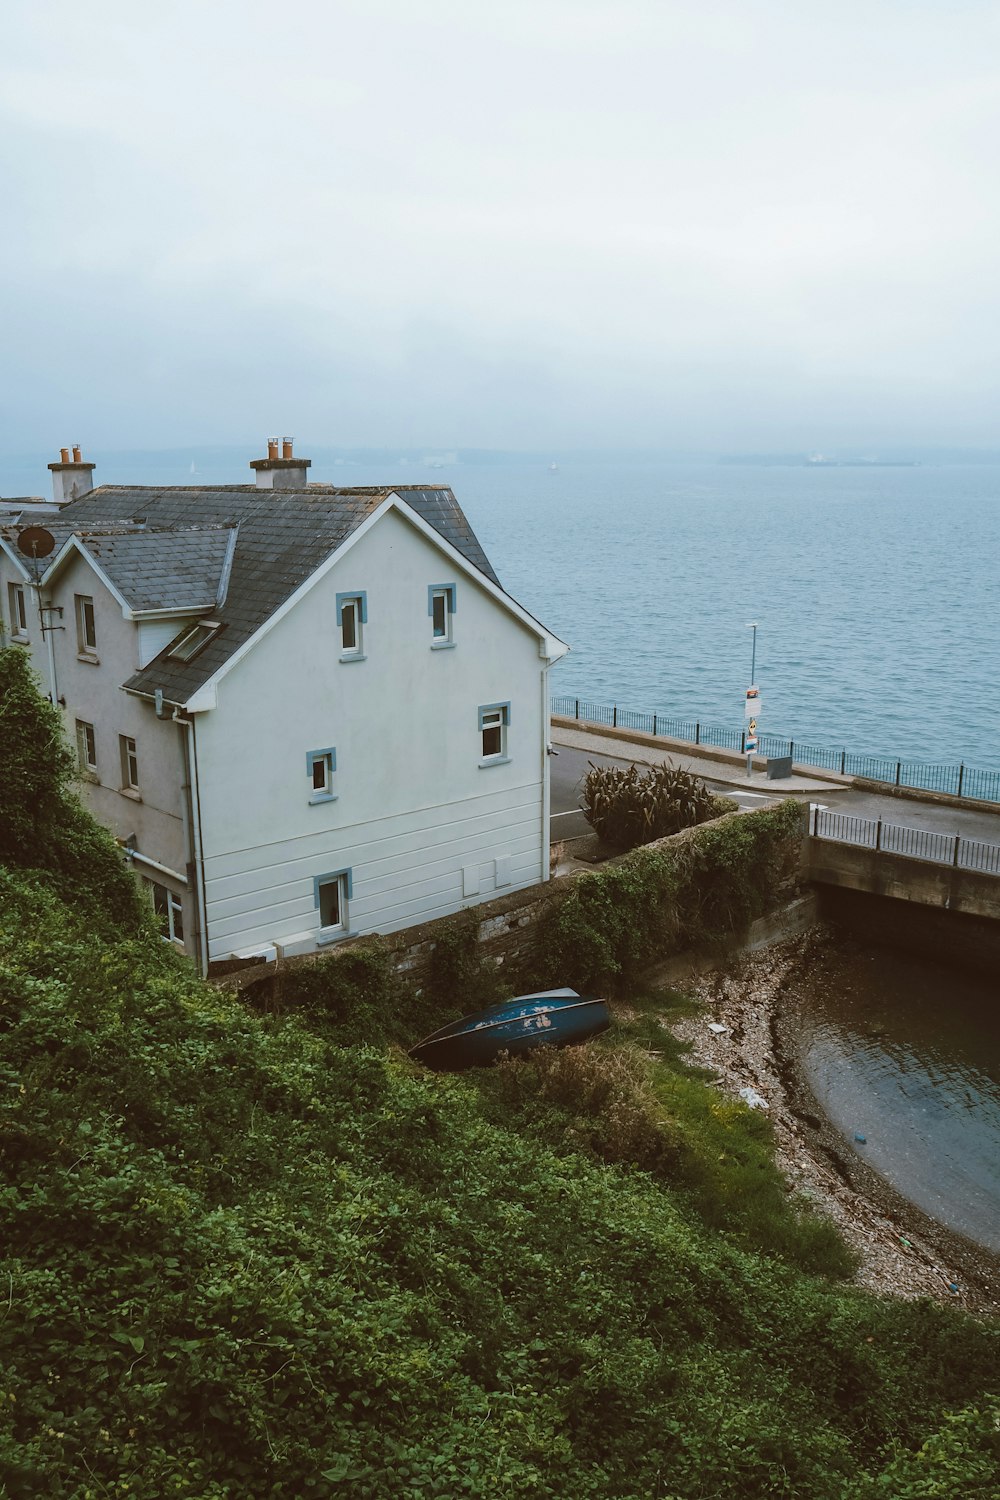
x,y
284,536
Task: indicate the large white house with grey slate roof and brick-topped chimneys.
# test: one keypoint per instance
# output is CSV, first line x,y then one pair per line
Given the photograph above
x,y
308,712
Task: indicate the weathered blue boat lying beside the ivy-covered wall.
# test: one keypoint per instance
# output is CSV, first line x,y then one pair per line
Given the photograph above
x,y
552,1018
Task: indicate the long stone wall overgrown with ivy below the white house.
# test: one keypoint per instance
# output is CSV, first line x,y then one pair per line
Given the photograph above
x,y
594,929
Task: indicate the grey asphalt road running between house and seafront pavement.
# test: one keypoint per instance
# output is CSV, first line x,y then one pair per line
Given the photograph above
x,y
569,770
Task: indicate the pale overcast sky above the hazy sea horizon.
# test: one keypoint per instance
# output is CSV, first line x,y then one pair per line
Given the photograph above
x,y
549,224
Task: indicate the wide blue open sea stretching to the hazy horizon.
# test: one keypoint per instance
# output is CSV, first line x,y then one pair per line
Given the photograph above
x,y
876,590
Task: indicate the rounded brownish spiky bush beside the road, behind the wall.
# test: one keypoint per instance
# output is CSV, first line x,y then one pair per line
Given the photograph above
x,y
630,808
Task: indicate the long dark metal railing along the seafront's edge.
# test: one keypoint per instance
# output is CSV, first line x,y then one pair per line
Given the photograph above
x,y
957,781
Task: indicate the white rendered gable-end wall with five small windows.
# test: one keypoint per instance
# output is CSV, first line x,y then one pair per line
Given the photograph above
x,y
418,821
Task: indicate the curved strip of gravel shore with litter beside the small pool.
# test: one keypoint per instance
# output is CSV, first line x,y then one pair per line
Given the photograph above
x,y
903,1253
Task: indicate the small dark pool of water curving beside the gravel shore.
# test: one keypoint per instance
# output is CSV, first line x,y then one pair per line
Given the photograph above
x,y
908,1055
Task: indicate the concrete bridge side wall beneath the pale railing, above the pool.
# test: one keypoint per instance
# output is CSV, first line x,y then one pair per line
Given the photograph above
x,y
896,877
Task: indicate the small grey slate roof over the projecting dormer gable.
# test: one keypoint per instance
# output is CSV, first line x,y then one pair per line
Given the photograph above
x,y
166,569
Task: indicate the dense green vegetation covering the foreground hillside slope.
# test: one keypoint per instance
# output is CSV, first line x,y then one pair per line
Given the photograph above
x,y
242,1258
